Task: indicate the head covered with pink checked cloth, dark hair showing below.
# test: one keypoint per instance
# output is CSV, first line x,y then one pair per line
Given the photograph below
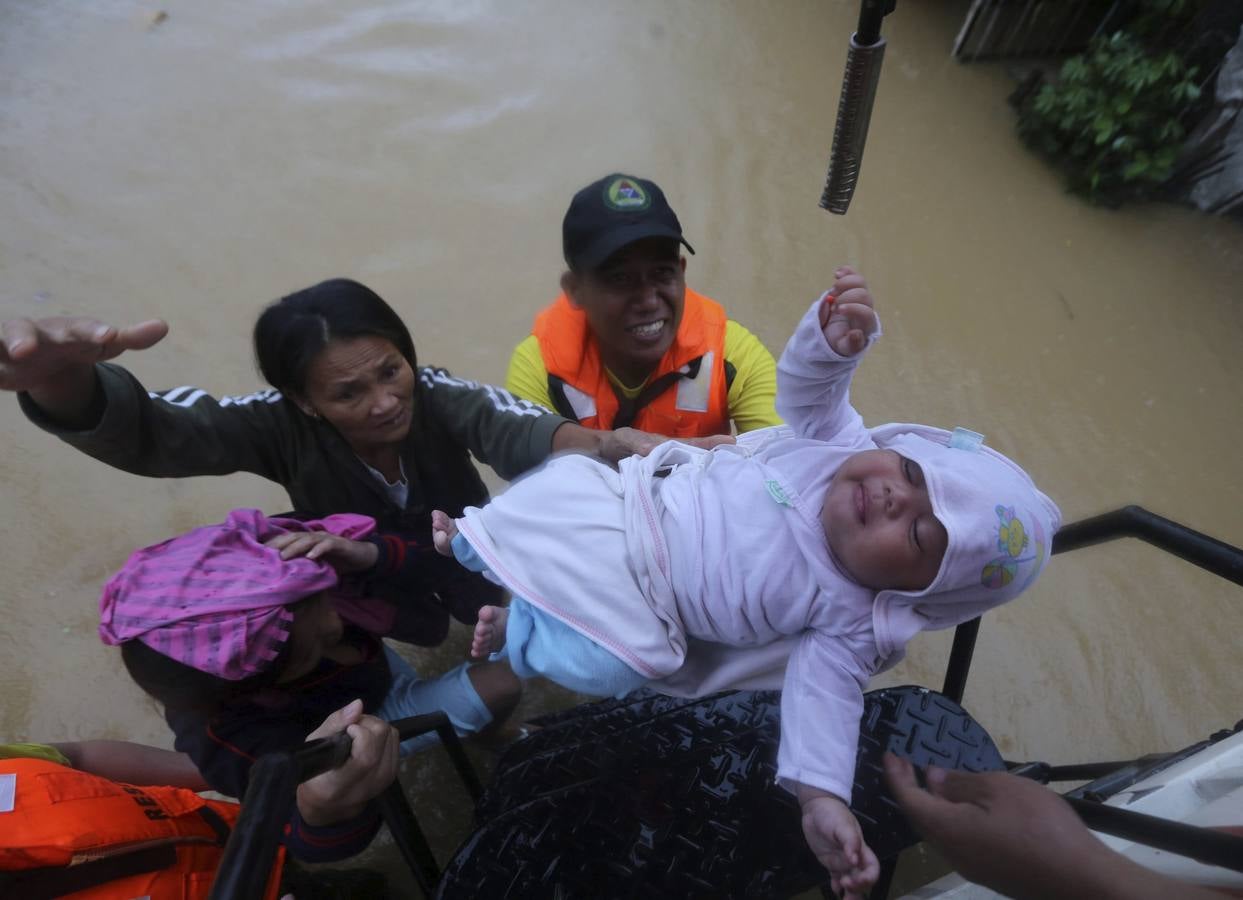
x,y
216,613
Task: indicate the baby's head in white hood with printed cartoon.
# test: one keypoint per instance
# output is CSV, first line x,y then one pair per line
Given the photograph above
x,y
938,524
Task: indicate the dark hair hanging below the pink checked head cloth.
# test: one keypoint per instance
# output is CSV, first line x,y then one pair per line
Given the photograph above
x,y
180,687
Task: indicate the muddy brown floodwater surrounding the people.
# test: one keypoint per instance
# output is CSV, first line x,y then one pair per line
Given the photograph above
x,y
197,168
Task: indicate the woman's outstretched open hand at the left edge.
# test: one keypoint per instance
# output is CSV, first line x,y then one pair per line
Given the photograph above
x,y
34,352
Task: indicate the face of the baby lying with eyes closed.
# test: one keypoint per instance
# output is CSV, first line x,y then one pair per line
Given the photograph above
x,y
878,519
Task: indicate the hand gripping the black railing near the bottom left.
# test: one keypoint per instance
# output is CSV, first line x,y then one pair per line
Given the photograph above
x,y
341,794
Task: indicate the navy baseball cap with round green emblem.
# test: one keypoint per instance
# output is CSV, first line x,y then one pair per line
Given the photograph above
x,y
613,212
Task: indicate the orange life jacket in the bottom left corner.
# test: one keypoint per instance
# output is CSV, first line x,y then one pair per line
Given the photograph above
x,y
74,835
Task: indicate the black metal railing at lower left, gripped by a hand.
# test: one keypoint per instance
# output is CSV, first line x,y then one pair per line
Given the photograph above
x,y
248,858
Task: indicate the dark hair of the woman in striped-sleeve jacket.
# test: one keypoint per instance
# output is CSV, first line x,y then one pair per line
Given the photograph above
x,y
293,331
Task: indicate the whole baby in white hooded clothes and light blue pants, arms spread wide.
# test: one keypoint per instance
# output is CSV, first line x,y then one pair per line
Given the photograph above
x,y
802,558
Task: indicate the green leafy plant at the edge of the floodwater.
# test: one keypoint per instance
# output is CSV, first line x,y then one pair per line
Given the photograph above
x,y
1113,119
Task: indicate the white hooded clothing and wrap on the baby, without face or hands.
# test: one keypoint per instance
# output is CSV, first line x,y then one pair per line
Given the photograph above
x,y
720,575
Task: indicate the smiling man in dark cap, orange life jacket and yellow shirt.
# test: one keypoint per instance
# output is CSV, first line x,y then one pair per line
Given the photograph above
x,y
627,344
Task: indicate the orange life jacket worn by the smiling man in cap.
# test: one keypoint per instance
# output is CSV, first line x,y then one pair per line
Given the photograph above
x,y
686,397
